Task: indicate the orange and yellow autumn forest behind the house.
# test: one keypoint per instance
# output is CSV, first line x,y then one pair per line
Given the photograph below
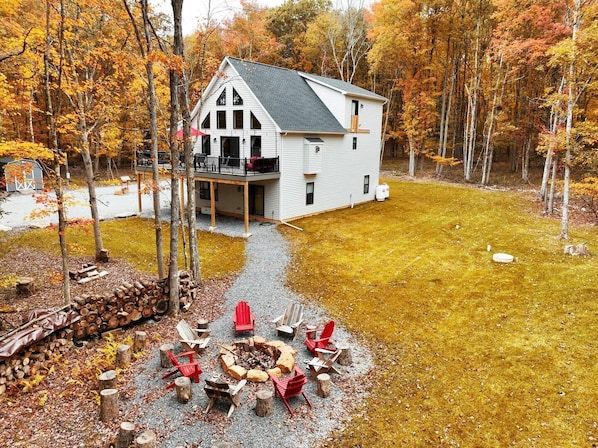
x,y
468,82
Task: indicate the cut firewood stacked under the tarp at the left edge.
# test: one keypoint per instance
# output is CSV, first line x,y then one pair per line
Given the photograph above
x,y
35,359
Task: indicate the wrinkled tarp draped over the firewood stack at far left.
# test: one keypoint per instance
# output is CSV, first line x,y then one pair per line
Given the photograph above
x,y
38,324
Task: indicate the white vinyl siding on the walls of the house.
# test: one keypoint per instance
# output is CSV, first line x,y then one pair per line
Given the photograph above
x,y
338,183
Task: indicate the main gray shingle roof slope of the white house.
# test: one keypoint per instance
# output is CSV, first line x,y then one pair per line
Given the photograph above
x,y
287,97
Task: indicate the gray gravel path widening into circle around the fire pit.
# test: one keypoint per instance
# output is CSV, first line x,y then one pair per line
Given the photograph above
x,y
261,284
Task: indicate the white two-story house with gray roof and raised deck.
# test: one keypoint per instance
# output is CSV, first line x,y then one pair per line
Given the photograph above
x,y
281,144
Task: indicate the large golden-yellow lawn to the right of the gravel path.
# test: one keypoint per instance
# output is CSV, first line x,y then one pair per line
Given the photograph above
x,y
469,352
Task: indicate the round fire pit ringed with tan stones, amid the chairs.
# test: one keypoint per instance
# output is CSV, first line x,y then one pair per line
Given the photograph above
x,y
254,359
